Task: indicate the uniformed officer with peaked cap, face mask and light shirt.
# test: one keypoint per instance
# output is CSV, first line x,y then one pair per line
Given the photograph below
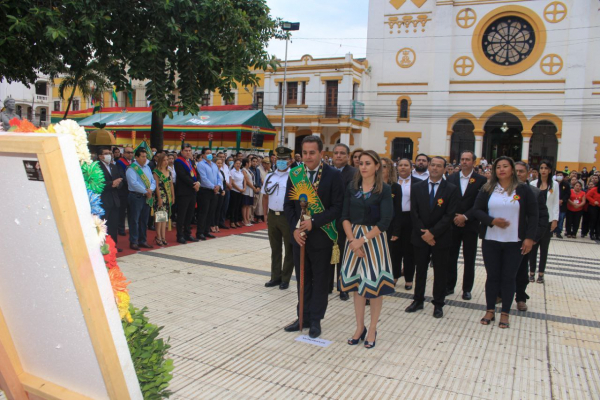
x,y
273,191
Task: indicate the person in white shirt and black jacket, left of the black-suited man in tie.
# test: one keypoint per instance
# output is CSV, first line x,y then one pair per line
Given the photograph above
x,y
406,261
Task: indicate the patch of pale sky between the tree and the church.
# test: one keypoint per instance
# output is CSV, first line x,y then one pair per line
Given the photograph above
x,y
328,28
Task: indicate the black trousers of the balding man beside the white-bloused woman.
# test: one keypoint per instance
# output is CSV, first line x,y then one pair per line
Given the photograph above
x,y
468,240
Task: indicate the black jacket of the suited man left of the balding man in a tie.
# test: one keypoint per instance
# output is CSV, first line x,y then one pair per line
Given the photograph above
x,y
439,220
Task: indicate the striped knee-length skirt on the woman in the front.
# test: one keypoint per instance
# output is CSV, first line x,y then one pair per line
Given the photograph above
x,y
371,275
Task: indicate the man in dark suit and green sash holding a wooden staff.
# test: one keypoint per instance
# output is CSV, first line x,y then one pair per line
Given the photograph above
x,y
317,267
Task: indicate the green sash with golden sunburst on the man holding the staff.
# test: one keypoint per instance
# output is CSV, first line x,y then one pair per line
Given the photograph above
x,y
303,188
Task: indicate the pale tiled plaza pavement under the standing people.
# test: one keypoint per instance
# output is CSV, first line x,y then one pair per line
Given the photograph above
x,y
227,335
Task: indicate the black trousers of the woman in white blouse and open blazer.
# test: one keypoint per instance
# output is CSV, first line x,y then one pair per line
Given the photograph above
x,y
502,261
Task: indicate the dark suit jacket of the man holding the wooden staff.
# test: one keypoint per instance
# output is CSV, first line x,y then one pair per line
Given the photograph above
x,y
331,193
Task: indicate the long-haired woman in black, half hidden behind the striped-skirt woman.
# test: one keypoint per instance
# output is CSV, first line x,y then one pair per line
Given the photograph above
x,y
390,177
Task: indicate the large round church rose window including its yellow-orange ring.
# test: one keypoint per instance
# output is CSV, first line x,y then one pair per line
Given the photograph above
x,y
509,40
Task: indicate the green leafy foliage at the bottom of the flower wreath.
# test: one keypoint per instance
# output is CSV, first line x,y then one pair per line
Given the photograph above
x,y
148,353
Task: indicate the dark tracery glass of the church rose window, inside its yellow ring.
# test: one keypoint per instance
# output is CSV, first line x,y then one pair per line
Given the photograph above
x,y
508,40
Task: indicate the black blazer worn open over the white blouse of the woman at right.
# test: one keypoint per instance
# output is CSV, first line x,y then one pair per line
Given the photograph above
x,y
528,213
